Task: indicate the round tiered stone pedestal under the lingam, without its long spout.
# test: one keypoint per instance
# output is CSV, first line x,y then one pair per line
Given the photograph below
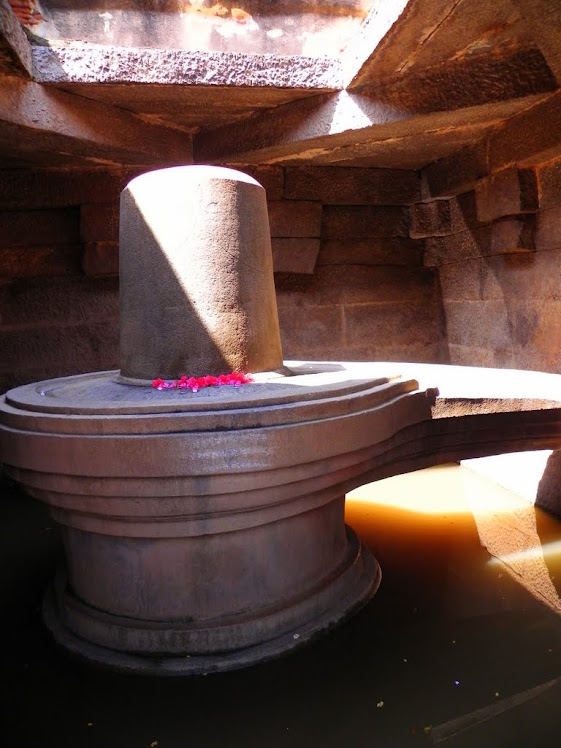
x,y
203,531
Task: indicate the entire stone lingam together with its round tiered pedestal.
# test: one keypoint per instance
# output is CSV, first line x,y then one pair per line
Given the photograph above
x,y
203,531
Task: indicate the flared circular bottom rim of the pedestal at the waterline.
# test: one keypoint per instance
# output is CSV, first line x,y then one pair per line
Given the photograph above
x,y
360,581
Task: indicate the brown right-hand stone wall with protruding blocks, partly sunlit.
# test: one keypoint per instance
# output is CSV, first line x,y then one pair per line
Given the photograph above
x,y
494,234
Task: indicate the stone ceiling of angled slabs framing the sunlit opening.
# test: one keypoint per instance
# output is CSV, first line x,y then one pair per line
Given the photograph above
x,y
417,81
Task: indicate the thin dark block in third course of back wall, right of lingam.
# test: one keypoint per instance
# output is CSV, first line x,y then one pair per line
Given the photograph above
x,y
375,251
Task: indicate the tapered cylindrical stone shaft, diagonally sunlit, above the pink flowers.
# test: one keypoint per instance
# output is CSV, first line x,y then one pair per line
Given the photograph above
x,y
196,275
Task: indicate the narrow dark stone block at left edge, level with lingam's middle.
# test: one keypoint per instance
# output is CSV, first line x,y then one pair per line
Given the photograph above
x,y
27,262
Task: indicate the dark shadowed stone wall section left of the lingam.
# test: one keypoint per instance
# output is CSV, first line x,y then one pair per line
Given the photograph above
x,y
52,319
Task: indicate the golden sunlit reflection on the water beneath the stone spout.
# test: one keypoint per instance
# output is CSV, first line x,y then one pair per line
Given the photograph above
x,y
451,507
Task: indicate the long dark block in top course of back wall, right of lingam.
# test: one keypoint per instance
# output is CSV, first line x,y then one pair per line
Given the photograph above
x,y
336,185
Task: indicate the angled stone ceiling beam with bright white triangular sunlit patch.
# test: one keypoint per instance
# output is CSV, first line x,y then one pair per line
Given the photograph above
x,y
347,127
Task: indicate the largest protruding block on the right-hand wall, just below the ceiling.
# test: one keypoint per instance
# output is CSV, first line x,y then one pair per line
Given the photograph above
x,y
506,193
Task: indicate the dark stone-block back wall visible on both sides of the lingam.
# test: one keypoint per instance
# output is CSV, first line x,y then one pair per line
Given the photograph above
x,y
350,281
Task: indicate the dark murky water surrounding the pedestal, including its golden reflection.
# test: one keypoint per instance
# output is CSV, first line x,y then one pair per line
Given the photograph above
x,y
458,648
